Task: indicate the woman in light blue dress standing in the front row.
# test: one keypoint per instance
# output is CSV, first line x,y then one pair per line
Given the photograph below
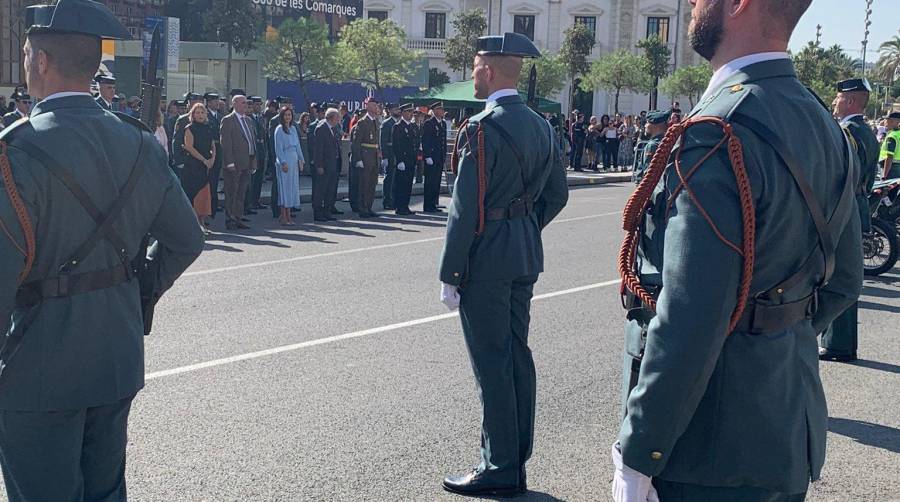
x,y
289,163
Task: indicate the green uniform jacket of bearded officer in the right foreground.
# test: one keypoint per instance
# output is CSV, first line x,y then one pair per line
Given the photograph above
x,y
711,408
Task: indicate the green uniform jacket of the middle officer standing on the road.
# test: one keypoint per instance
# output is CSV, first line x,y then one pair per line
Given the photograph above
x,y
508,248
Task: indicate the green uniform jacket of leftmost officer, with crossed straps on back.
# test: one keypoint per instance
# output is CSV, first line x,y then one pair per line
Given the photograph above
x,y
85,350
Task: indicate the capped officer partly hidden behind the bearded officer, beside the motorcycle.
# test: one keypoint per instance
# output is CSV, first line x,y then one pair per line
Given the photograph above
x,y
840,339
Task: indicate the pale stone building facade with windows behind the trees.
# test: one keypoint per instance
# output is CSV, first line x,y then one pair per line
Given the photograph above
x,y
616,24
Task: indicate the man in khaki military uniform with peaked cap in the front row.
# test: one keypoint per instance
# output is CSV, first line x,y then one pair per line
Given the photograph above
x,y
364,147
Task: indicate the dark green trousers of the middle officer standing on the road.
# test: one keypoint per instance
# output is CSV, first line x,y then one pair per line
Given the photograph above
x,y
495,317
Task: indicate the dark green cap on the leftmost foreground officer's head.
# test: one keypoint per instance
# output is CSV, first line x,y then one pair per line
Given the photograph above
x,y
75,16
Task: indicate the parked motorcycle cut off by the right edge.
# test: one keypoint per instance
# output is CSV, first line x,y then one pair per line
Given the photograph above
x,y
881,245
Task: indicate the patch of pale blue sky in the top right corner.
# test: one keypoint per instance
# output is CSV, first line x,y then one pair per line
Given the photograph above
x,y
843,23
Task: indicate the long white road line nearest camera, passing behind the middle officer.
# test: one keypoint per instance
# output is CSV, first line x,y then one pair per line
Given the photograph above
x,y
347,336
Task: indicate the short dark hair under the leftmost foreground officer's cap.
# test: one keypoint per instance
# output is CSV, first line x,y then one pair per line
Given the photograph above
x,y
73,55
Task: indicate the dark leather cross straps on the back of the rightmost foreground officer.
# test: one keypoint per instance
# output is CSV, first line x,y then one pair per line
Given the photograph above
x,y
829,231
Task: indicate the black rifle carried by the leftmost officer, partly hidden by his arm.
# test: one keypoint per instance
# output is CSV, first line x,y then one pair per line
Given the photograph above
x,y
145,266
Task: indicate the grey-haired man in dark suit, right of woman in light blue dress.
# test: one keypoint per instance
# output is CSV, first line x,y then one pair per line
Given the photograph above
x,y
327,155
